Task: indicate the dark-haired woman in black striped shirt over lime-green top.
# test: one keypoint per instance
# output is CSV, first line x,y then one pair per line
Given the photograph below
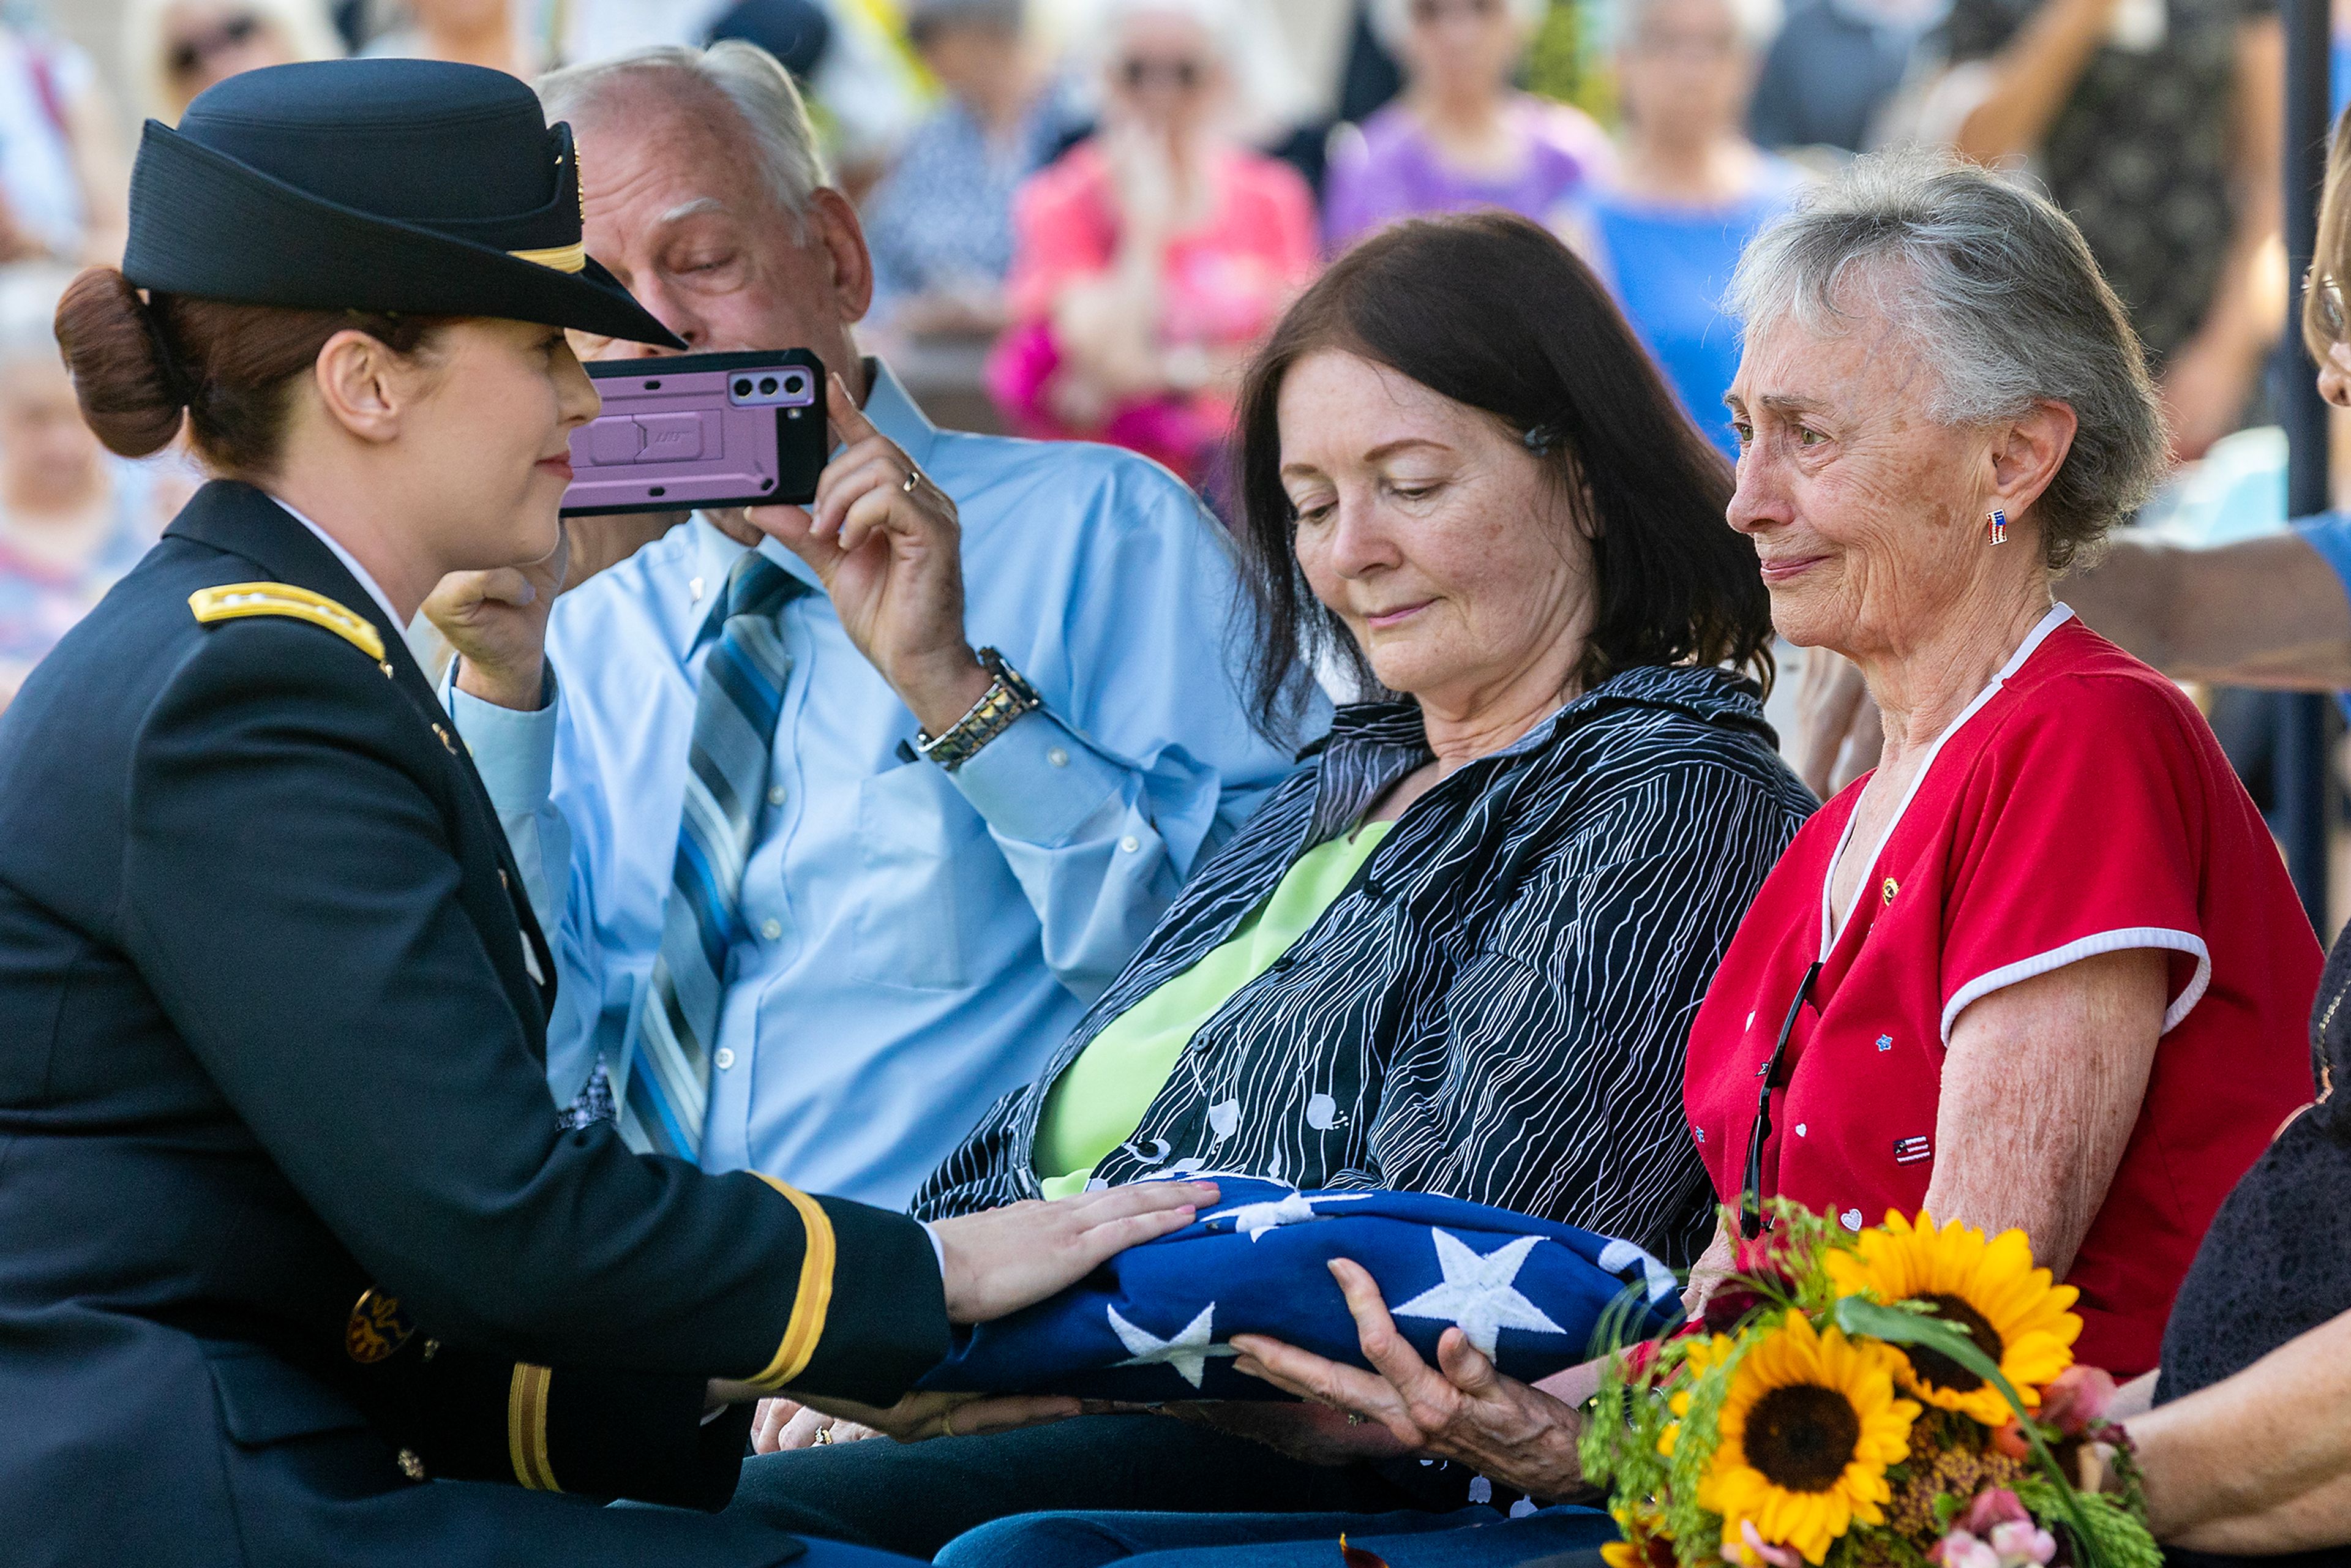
x,y
1456,953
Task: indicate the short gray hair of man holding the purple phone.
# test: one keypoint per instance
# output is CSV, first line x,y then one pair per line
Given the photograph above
x,y
746,76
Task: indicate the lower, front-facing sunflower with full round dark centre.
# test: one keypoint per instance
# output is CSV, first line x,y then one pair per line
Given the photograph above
x,y
1807,1433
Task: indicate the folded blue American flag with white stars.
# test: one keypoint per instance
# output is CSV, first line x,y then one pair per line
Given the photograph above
x,y
1153,1325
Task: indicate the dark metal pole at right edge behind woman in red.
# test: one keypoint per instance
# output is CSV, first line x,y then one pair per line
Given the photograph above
x,y
2305,786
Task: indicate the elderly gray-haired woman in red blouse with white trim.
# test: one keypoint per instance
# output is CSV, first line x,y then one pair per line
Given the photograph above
x,y
2042,967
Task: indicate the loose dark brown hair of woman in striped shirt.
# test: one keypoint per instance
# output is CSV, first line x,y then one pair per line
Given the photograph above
x,y
1496,314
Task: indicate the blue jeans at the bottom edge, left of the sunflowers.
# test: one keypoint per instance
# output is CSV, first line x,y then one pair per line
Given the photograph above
x,y
1466,1539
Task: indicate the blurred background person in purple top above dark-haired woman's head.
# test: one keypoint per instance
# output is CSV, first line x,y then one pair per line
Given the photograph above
x,y
1463,135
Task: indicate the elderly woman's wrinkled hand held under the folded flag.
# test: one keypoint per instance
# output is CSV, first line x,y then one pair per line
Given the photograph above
x,y
1461,1409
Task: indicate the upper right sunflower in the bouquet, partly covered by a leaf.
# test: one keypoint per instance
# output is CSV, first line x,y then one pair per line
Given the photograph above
x,y
1990,1289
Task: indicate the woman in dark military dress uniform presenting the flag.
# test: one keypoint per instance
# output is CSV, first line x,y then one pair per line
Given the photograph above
x,y
295,1264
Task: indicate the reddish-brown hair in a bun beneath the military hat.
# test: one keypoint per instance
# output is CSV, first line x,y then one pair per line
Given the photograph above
x,y
145,363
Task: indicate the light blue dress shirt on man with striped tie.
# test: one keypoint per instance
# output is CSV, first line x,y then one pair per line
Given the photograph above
x,y
920,942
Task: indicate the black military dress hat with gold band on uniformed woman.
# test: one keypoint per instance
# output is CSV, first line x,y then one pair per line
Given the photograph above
x,y
375,185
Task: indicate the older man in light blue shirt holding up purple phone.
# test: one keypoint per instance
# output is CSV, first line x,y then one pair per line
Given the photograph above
x,y
911,942
